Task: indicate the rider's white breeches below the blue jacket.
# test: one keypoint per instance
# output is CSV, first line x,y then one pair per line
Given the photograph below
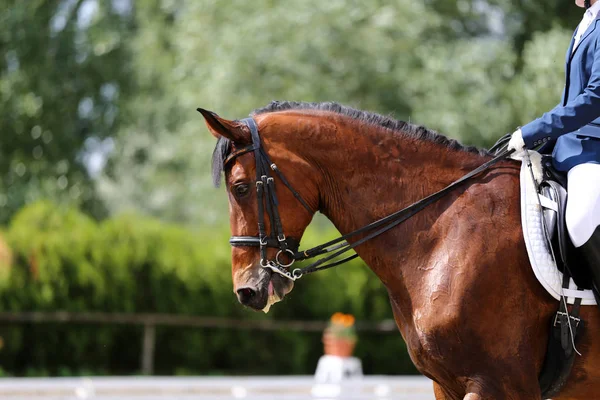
x,y
583,203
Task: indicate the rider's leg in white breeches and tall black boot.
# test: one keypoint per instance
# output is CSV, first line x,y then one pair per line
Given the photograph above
x,y
583,214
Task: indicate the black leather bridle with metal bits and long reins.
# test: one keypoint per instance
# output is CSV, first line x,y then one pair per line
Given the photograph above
x,y
288,246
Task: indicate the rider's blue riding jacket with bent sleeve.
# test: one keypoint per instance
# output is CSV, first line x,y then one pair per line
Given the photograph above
x,y
571,130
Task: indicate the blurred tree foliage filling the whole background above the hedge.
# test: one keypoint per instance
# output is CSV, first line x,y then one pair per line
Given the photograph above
x,y
121,80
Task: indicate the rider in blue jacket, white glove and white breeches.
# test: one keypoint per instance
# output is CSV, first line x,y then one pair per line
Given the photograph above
x,y
571,130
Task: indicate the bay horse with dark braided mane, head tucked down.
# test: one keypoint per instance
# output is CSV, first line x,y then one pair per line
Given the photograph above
x,y
473,316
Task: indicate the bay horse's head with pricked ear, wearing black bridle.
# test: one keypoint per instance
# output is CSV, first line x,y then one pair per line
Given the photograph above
x,y
256,286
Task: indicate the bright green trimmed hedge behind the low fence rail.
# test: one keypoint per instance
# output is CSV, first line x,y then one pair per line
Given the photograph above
x,y
62,260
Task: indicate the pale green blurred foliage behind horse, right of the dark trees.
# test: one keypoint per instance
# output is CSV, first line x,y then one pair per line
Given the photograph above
x,y
454,66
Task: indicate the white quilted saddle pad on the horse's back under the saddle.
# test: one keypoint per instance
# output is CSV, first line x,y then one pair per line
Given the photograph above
x,y
540,256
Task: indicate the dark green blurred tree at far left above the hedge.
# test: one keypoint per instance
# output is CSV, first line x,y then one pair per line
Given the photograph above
x,y
63,75
